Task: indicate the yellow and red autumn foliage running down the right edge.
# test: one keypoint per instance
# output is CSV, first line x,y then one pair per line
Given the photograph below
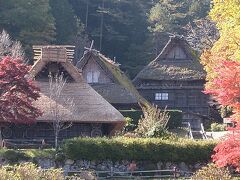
x,y
222,63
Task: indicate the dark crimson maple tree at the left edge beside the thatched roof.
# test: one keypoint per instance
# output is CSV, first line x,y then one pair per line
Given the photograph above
x,y
17,93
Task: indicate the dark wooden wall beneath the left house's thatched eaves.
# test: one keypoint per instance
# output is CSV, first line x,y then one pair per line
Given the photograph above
x,y
45,131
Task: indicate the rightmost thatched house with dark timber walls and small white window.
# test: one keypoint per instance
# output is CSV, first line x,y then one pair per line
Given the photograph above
x,y
175,78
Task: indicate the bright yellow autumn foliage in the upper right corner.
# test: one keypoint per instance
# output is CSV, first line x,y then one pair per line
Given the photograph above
x,y
226,14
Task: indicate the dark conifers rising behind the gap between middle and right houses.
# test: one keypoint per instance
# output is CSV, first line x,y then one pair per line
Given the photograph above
x,y
118,28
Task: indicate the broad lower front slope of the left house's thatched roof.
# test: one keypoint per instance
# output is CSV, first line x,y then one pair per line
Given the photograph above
x,y
89,105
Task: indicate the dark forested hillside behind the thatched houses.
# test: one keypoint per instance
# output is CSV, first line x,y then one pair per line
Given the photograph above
x,y
124,29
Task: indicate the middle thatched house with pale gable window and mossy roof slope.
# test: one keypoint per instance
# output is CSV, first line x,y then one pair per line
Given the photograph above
x,y
105,76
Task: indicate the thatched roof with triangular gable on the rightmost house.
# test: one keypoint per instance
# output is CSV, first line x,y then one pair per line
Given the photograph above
x,y
166,68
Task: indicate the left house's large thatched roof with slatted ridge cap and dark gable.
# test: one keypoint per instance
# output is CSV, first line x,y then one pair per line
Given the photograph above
x,y
90,107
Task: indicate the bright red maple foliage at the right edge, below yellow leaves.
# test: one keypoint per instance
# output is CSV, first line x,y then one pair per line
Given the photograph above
x,y
225,88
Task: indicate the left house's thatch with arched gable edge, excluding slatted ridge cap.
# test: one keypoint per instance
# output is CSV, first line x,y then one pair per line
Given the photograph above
x,y
89,105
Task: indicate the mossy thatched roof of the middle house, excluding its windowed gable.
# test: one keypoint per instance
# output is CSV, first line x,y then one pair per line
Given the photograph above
x,y
117,92
